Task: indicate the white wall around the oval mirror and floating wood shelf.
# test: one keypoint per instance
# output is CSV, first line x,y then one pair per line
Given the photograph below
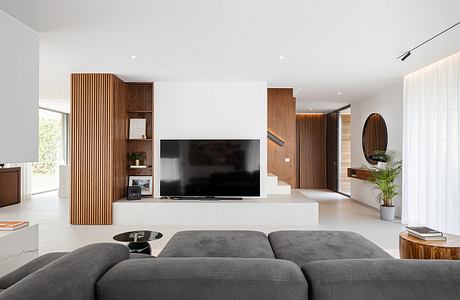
x,y
389,103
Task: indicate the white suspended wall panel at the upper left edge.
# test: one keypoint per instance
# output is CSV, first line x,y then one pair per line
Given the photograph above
x,y
18,91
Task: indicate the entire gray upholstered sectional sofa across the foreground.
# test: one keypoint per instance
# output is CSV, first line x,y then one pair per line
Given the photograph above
x,y
237,265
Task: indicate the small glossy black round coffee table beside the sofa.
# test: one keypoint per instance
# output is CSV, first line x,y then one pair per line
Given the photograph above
x,y
138,241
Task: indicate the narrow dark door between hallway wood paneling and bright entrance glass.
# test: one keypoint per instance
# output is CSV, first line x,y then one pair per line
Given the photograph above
x,y
332,138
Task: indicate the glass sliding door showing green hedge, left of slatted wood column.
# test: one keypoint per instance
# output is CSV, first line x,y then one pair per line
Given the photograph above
x,y
52,151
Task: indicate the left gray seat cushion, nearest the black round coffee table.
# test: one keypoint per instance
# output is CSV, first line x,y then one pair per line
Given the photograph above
x,y
218,243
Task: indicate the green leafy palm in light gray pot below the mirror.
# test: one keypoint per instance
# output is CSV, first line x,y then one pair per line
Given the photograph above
x,y
383,180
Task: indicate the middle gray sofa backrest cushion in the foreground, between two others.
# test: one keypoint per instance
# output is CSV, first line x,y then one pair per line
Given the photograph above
x,y
203,279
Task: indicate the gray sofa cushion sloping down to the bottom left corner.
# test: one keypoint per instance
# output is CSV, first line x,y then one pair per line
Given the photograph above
x,y
73,276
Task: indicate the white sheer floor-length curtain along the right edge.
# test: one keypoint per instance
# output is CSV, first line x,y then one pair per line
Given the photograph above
x,y
431,170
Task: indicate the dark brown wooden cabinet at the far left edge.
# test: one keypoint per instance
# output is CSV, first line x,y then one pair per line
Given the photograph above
x,y
10,186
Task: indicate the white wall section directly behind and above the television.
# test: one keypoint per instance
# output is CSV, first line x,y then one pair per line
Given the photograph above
x,y
210,110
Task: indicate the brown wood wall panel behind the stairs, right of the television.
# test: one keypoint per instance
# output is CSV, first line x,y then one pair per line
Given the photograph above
x,y
281,121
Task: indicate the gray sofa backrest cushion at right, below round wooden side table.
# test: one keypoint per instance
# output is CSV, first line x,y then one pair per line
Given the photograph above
x,y
383,279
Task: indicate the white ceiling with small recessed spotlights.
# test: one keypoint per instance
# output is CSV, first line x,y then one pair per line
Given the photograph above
x,y
328,45
